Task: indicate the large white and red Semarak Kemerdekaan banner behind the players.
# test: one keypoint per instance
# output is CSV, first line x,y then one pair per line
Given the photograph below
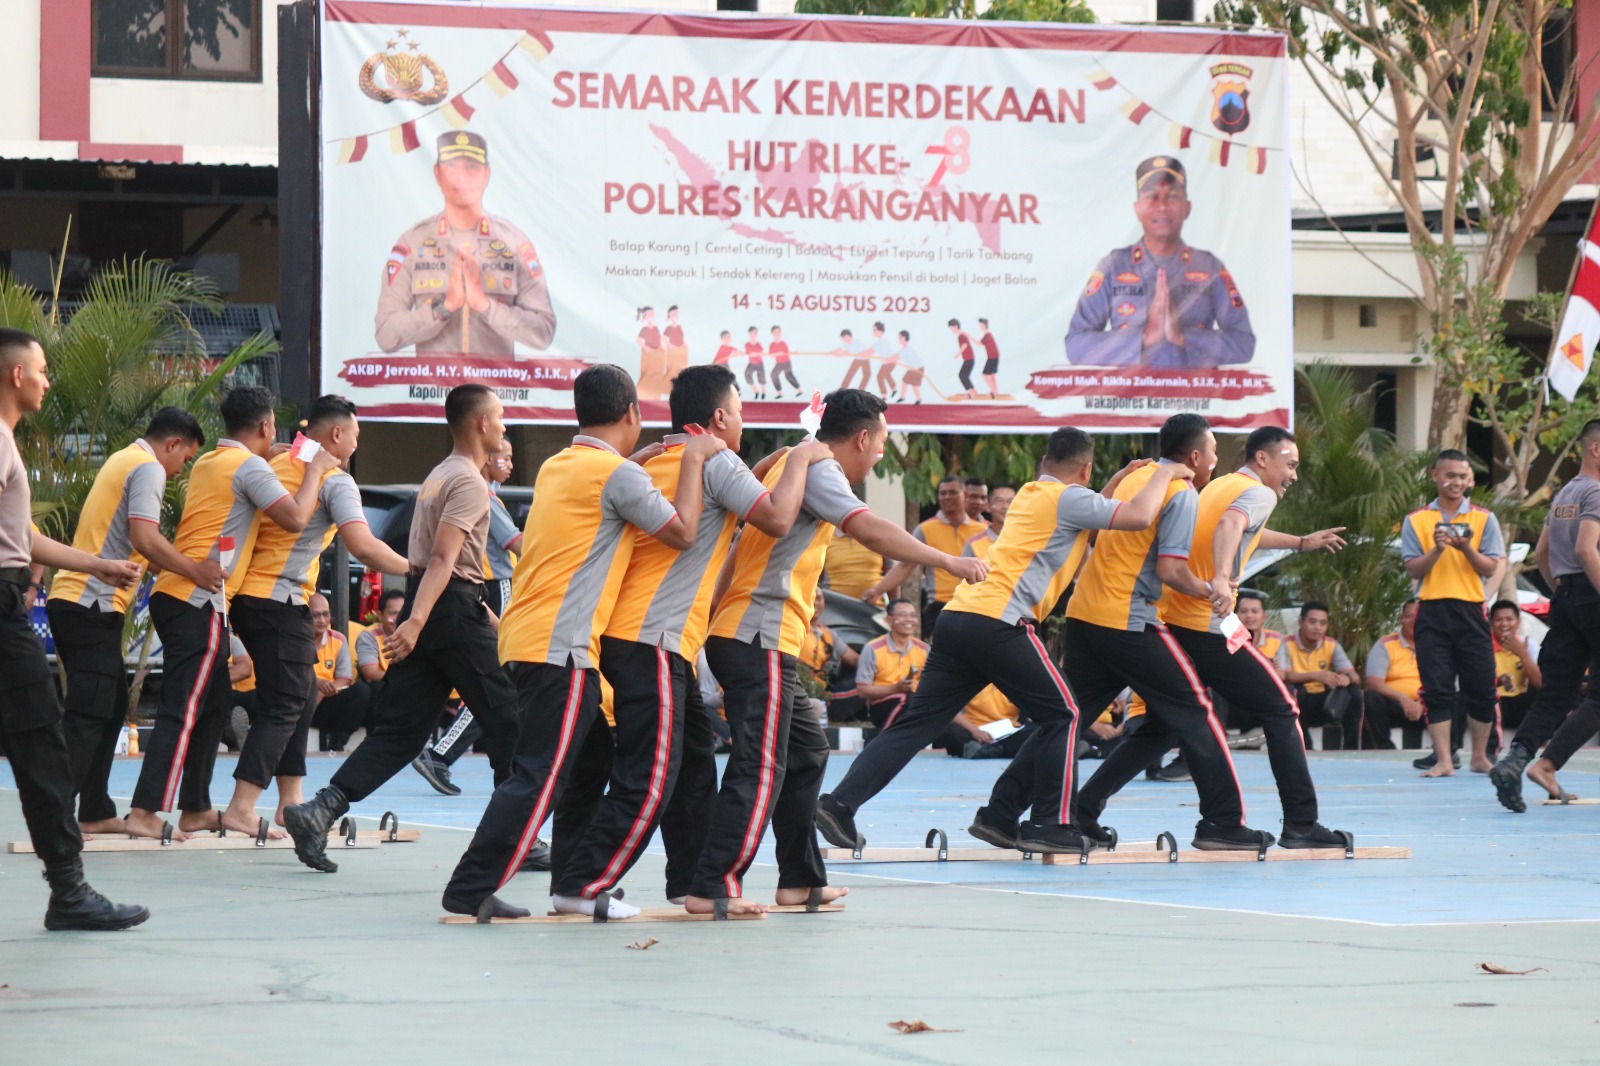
x,y
998,226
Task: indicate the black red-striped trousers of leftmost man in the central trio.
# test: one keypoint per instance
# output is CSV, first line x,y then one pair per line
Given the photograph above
x,y
558,708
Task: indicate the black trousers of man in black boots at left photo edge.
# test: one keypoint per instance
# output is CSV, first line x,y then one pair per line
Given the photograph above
x,y
31,731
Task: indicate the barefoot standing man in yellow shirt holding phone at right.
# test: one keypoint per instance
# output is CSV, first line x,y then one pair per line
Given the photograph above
x,y
1454,550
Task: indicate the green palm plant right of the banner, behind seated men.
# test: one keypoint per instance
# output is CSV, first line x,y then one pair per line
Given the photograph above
x,y
1356,476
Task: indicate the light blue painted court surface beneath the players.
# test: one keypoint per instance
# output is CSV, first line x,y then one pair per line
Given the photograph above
x,y
1473,862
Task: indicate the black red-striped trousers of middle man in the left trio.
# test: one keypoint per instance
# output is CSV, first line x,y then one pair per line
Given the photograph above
x,y
194,708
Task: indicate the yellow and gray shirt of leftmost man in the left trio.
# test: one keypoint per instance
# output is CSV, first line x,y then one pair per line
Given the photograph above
x,y
129,489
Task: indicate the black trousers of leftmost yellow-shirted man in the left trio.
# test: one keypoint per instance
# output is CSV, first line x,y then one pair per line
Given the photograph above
x,y
89,644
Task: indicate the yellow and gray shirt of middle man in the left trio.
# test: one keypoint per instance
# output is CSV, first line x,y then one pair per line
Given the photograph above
x,y
228,492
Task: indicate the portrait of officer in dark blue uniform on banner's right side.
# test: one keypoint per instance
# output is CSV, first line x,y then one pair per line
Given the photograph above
x,y
1161,303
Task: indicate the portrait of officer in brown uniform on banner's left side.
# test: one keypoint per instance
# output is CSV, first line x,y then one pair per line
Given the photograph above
x,y
465,281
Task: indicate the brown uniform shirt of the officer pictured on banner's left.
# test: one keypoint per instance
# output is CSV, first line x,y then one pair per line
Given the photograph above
x,y
417,276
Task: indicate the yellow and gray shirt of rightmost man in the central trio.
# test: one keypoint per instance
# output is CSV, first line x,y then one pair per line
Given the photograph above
x,y
774,590
